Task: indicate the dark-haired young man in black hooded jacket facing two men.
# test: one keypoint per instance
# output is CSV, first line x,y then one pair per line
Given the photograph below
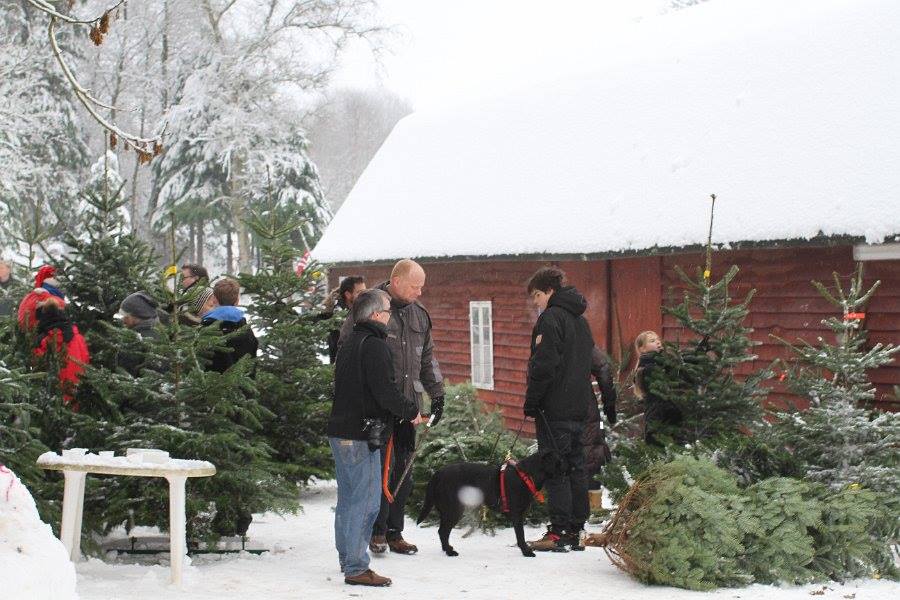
x,y
558,394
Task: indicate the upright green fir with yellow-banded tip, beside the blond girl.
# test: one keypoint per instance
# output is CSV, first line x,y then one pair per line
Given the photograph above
x,y
700,377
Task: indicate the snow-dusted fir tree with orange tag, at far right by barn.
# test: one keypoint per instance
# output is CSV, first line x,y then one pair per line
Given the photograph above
x,y
839,439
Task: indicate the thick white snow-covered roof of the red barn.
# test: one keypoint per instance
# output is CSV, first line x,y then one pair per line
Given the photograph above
x,y
788,111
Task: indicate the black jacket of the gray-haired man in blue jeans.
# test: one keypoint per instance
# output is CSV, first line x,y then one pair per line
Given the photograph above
x,y
365,386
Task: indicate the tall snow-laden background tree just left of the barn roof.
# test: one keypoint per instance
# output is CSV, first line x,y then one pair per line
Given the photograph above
x,y
226,154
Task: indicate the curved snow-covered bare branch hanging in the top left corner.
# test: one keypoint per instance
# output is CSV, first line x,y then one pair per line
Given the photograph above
x,y
146,148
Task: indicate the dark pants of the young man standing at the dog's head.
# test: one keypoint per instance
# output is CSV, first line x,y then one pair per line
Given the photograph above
x,y
568,494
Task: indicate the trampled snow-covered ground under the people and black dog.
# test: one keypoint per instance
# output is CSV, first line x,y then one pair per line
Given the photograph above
x,y
303,564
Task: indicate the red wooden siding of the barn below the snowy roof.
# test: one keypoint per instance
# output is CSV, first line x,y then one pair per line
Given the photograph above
x,y
625,295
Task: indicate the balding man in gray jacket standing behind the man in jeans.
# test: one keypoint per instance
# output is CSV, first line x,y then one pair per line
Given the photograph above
x,y
416,371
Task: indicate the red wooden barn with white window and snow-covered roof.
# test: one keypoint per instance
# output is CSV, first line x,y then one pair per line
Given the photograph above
x,y
789,119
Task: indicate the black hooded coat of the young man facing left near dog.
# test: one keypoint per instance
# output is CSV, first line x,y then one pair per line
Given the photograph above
x,y
560,366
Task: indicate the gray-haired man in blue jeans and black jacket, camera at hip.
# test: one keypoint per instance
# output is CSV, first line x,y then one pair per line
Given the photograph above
x,y
366,403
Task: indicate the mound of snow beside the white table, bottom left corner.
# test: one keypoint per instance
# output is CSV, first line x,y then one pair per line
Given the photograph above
x,y
33,563
